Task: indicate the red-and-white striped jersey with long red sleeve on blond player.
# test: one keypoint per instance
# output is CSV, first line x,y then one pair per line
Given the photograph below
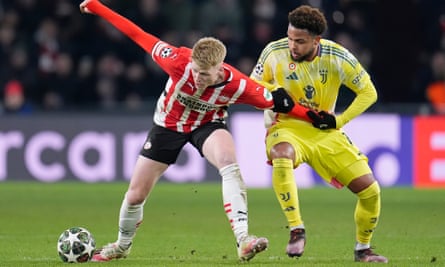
x,y
182,107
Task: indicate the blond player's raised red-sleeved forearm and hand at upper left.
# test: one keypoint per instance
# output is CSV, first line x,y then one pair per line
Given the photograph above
x,y
127,27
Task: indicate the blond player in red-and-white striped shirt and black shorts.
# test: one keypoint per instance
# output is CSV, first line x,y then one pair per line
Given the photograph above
x,y
191,109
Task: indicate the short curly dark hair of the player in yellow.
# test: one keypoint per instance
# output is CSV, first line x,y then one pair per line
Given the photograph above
x,y
308,18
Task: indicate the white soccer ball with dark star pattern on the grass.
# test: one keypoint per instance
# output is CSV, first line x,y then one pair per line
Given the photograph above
x,y
76,244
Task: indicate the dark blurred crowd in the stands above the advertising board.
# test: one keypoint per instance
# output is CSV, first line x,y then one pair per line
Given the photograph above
x,y
53,58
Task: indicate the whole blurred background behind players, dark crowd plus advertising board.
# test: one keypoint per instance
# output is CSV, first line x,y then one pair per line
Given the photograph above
x,y
77,96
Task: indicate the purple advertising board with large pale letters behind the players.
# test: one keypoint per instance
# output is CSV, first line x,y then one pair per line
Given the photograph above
x,y
402,151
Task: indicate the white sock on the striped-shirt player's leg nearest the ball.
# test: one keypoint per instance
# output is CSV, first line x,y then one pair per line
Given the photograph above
x,y
130,217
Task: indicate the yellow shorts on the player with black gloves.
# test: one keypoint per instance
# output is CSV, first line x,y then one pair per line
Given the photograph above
x,y
329,152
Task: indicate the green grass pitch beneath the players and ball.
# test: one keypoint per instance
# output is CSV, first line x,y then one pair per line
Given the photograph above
x,y
185,225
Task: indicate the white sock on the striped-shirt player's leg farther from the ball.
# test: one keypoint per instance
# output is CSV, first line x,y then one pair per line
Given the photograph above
x,y
235,199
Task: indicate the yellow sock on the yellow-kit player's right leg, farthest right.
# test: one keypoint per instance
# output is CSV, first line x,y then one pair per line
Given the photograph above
x,y
367,213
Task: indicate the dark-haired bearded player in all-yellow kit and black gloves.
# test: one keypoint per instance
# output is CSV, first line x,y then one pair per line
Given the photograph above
x,y
312,69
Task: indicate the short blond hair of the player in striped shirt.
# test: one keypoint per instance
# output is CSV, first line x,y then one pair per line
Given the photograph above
x,y
208,52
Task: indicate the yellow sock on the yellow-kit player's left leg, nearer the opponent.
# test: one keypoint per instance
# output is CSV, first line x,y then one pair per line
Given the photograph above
x,y
285,187
